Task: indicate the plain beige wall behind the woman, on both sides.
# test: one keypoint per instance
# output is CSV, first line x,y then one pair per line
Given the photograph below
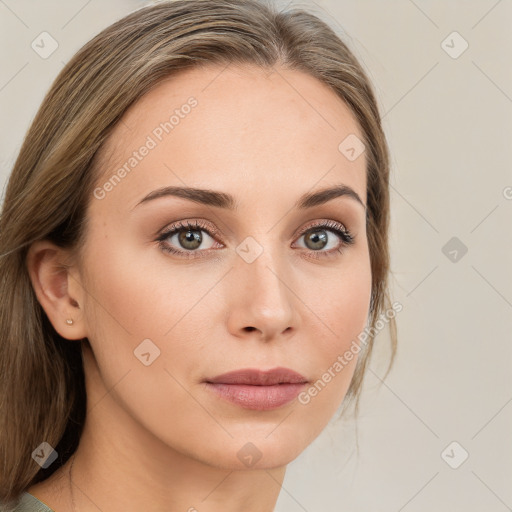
x,y
448,118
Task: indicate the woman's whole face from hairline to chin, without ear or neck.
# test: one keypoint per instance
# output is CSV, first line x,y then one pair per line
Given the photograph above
x,y
253,284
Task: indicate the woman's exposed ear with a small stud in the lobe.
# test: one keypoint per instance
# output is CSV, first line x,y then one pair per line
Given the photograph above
x,y
57,287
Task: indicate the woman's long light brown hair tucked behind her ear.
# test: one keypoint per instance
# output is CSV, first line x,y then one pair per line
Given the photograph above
x,y
42,391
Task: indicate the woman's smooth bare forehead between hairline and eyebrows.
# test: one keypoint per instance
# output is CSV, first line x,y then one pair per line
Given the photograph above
x,y
237,125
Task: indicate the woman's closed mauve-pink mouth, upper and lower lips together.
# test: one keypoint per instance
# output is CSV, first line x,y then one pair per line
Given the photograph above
x,y
258,389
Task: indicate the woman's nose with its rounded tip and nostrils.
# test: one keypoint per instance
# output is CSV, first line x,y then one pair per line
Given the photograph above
x,y
262,303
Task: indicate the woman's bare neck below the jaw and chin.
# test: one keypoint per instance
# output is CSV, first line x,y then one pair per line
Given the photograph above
x,y
108,475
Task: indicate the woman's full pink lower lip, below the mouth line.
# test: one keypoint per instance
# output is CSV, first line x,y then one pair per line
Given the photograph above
x,y
260,398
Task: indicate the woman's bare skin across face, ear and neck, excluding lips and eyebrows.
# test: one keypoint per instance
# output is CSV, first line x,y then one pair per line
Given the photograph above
x,y
155,438
